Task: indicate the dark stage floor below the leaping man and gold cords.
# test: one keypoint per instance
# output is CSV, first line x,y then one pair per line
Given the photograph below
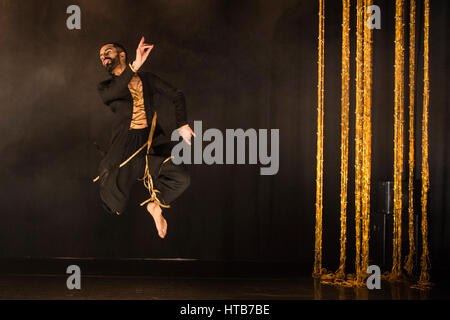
x,y
25,287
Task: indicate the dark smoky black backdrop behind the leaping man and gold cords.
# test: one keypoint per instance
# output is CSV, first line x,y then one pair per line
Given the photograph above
x,y
241,64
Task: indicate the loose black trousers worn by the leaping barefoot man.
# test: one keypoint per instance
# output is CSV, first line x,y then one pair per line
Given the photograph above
x,y
171,180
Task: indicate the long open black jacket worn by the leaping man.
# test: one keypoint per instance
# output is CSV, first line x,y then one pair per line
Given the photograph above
x,y
116,95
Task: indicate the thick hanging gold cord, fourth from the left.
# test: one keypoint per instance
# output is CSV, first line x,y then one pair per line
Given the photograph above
x,y
367,145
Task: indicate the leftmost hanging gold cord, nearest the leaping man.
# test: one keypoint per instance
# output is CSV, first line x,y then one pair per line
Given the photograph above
x,y
319,158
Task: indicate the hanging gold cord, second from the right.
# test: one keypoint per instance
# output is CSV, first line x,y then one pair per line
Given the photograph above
x,y
409,264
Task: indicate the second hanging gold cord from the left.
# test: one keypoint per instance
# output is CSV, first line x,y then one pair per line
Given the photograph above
x,y
345,105
